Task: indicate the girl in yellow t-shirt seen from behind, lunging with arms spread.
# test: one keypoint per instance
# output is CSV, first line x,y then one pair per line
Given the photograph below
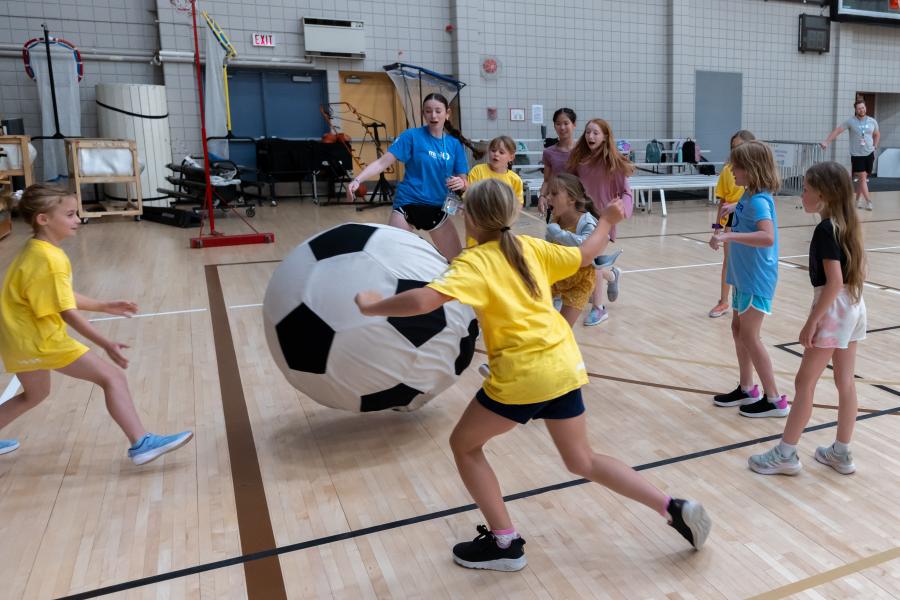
x,y
536,369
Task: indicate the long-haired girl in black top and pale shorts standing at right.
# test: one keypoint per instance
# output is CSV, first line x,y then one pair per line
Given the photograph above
x,y
837,321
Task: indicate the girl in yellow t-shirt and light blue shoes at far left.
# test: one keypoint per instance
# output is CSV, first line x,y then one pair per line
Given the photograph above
x,y
37,302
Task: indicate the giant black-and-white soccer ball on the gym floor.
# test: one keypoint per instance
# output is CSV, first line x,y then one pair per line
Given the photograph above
x,y
329,351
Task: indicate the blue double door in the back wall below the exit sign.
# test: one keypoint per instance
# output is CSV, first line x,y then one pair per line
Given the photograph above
x,y
267,103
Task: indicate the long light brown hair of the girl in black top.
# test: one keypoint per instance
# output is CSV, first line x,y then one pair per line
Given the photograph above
x,y
832,182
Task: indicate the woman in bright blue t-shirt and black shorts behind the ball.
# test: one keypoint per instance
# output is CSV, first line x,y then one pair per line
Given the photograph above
x,y
435,165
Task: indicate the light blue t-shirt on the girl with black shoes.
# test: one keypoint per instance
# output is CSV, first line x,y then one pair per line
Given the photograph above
x,y
753,270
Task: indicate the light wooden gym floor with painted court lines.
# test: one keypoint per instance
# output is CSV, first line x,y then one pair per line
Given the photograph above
x,y
278,497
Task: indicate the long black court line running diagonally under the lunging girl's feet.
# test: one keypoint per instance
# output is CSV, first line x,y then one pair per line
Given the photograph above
x,y
348,535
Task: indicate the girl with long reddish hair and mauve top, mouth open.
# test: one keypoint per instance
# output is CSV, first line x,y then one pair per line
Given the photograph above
x,y
604,172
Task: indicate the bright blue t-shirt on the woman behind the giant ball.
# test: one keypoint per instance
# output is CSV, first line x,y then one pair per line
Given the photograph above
x,y
429,161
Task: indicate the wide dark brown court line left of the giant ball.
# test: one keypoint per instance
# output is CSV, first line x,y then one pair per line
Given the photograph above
x,y
263,577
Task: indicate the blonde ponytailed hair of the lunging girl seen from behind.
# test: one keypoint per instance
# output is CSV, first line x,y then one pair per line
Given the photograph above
x,y
492,206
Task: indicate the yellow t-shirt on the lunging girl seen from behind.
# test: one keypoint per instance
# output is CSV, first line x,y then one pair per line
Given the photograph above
x,y
531,350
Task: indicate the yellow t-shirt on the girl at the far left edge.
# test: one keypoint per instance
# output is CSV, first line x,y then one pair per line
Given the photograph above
x,y
36,289
